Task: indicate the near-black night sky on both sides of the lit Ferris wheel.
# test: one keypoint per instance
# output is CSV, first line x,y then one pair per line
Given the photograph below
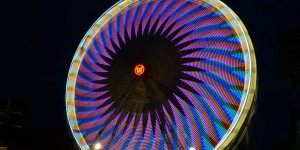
x,y
39,39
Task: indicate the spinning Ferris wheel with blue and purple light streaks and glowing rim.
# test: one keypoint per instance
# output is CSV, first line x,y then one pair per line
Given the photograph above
x,y
195,89
